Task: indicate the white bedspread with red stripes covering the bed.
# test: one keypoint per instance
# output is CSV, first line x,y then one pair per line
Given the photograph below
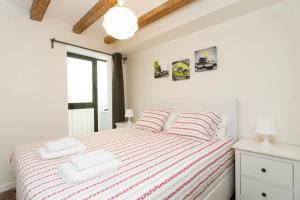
x,y
154,166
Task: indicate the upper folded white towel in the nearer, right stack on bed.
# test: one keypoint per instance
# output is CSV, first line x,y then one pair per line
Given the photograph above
x,y
91,159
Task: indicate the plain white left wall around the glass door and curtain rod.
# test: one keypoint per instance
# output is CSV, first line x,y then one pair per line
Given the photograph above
x,y
33,86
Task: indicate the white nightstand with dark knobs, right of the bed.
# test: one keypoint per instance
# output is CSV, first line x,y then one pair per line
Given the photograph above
x,y
266,173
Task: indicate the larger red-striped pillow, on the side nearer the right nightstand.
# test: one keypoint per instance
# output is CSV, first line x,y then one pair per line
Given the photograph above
x,y
200,126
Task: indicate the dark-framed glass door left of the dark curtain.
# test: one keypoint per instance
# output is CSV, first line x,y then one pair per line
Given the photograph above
x,y
82,94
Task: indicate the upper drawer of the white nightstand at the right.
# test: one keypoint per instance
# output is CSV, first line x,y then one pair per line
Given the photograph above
x,y
278,173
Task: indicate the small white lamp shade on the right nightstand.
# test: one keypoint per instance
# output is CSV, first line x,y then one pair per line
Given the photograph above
x,y
266,126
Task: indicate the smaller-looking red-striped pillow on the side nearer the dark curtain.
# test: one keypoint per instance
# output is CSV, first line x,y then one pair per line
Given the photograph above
x,y
152,120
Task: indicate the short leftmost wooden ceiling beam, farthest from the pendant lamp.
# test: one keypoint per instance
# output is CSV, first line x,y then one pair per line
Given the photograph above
x,y
38,9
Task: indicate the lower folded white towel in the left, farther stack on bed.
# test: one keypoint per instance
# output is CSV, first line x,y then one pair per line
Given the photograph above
x,y
44,154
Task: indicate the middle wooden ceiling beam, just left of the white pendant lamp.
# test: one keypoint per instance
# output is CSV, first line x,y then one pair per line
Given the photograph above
x,y
93,15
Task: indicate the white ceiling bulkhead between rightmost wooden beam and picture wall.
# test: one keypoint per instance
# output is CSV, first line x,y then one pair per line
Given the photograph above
x,y
195,16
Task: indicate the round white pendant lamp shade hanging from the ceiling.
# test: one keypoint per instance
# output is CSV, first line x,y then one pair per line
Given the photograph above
x,y
120,23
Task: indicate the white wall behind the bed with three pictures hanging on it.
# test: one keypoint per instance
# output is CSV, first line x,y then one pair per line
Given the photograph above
x,y
258,64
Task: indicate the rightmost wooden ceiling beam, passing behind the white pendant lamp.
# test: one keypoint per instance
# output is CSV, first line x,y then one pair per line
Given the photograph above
x,y
157,13
